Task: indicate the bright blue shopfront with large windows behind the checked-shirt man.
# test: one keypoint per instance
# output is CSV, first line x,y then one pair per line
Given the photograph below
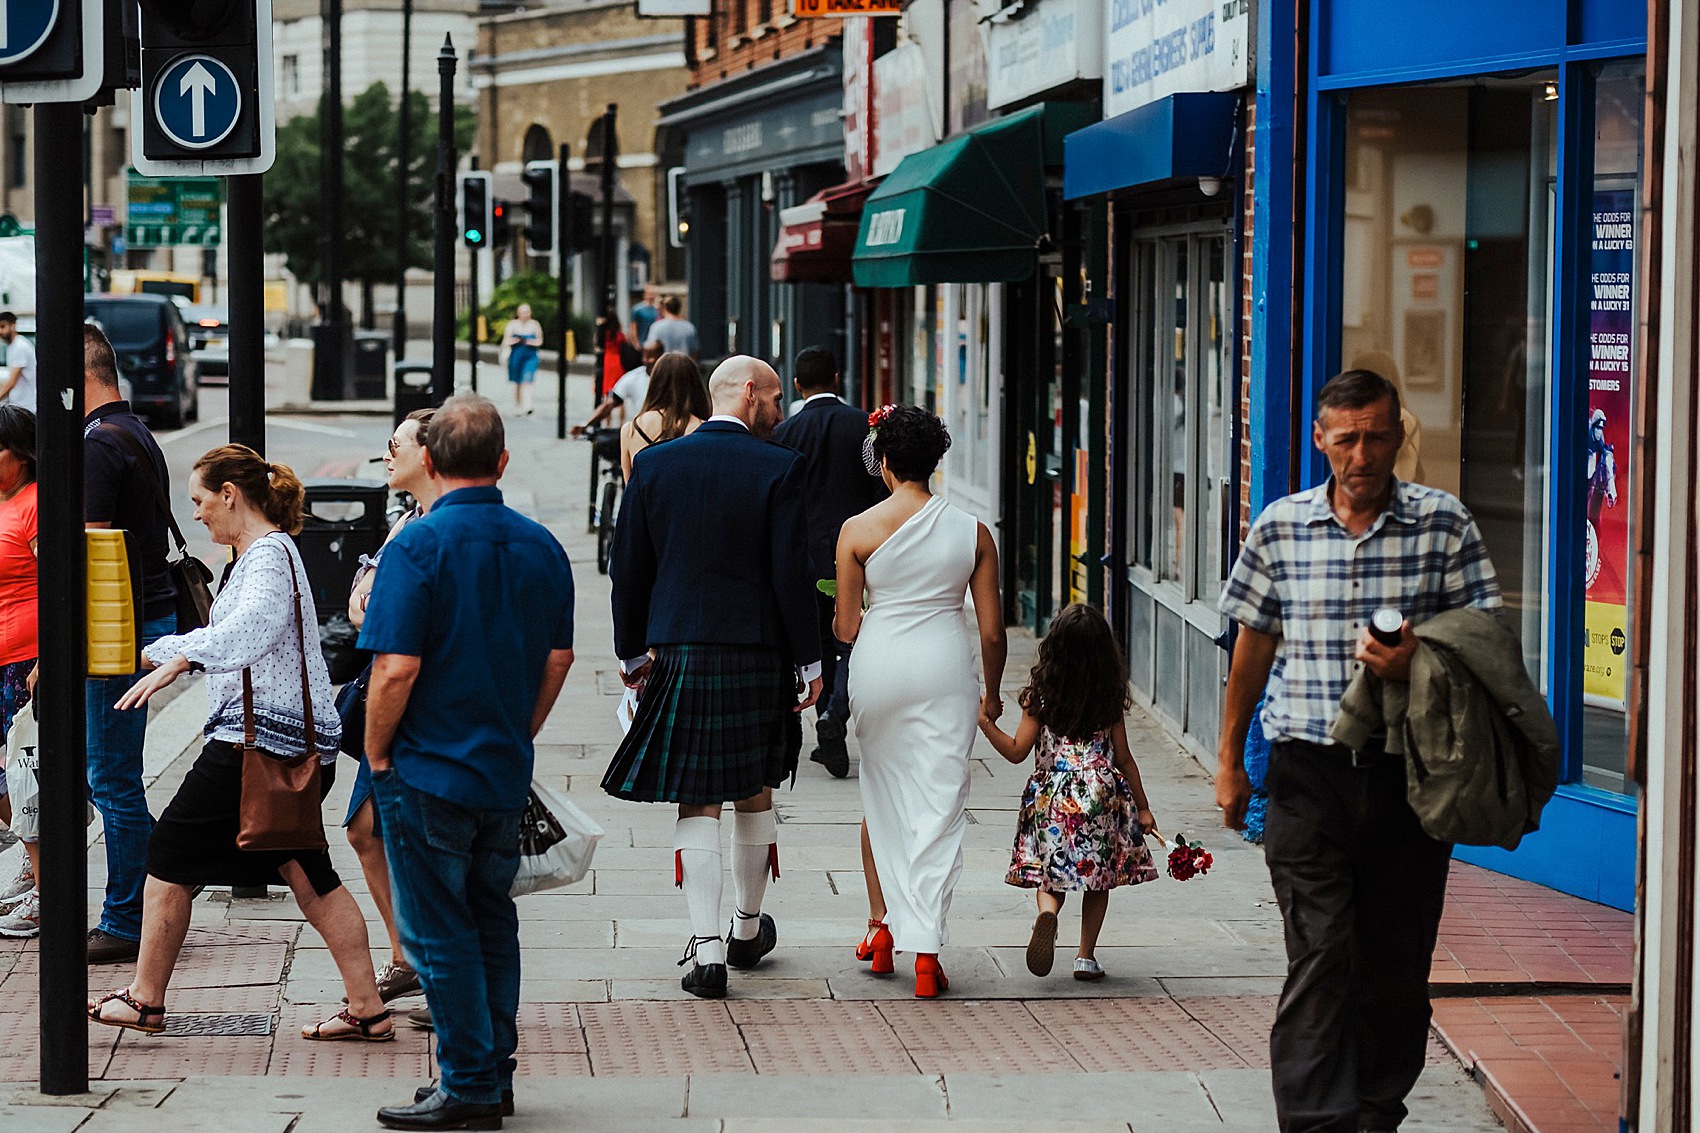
x,y
1466,215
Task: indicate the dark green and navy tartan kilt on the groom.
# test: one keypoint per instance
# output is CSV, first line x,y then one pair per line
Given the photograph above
x,y
717,724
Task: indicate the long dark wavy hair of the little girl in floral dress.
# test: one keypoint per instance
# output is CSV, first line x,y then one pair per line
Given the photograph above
x,y
1080,683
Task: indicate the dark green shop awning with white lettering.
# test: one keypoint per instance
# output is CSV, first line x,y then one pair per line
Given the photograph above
x,y
970,210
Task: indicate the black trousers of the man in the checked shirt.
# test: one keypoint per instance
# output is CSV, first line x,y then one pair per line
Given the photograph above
x,y
1361,892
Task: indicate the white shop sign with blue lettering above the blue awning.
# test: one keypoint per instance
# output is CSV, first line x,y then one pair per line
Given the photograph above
x,y
1155,48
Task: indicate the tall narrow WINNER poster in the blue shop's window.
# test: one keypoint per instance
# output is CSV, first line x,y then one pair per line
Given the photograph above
x,y
1611,333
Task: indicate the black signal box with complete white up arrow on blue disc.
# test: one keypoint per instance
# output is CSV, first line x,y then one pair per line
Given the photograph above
x,y
205,105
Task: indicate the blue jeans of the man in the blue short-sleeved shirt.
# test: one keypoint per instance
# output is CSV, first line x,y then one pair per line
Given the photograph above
x,y
450,872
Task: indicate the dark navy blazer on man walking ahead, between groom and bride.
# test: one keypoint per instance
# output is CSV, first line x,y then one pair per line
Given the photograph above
x,y
830,436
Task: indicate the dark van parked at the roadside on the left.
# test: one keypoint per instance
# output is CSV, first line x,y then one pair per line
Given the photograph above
x,y
152,344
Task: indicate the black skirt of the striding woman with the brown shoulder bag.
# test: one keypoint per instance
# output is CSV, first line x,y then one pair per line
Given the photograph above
x,y
195,841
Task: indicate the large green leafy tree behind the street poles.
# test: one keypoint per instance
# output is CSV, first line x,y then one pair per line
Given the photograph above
x,y
371,134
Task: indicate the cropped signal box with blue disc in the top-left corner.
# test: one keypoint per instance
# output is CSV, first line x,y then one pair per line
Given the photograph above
x,y
52,52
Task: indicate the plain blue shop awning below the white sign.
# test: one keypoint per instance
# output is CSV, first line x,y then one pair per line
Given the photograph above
x,y
1184,135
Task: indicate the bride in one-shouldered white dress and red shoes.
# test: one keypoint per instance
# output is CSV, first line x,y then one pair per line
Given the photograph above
x,y
914,695
